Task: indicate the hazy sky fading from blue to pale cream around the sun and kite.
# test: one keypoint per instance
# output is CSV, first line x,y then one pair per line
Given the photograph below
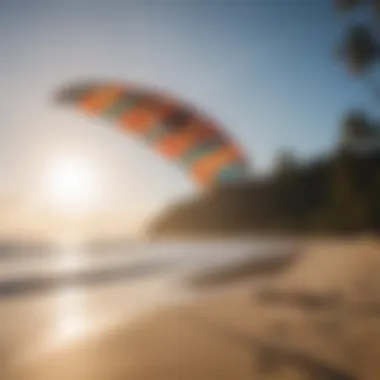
x,y
264,68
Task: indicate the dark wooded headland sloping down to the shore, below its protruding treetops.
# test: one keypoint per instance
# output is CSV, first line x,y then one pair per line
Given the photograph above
x,y
336,194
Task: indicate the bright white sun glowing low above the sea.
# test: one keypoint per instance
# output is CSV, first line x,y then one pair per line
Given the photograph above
x,y
70,185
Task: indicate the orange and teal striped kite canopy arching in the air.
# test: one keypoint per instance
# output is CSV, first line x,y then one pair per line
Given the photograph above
x,y
170,127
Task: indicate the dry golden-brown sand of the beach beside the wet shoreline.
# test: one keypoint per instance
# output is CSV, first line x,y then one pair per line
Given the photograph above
x,y
318,319
